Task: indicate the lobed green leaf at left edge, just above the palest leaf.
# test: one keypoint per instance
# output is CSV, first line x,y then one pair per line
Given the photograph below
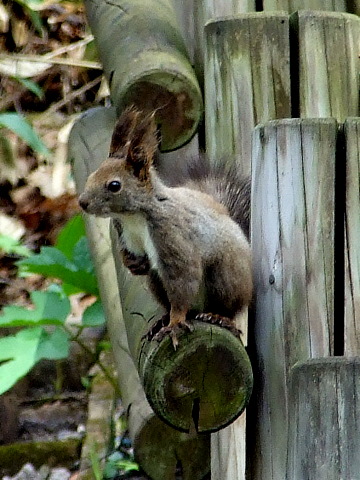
x,y
50,308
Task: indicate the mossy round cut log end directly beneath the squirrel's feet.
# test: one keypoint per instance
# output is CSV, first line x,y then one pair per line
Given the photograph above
x,y
204,385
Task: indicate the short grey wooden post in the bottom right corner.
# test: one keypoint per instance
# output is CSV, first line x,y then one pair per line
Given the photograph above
x,y
324,431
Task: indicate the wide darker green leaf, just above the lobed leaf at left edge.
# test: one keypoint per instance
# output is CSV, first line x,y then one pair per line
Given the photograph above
x,y
50,262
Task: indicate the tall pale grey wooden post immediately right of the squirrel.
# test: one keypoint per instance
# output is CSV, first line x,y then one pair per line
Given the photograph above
x,y
293,186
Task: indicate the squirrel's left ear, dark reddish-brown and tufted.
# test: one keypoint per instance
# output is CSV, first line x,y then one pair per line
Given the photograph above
x,y
123,132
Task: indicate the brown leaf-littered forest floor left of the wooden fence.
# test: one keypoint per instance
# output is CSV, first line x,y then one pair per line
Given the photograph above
x,y
49,74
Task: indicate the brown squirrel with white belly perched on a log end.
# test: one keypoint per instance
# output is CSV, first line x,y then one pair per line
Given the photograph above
x,y
190,240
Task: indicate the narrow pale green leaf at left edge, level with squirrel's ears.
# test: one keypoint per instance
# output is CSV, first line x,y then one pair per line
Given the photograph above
x,y
19,125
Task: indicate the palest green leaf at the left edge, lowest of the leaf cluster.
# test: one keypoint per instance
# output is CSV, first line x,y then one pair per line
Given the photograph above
x,y
18,356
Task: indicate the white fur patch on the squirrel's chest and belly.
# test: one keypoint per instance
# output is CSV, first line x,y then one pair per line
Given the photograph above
x,y
137,238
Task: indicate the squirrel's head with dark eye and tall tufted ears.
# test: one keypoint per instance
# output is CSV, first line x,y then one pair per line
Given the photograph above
x,y
123,180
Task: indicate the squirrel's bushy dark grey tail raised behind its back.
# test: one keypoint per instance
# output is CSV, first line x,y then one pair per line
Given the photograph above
x,y
222,179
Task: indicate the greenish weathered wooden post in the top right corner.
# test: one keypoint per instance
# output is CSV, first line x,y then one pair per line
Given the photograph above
x,y
328,74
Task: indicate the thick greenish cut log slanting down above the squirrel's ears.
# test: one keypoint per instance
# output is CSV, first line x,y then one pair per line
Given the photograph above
x,y
146,63
